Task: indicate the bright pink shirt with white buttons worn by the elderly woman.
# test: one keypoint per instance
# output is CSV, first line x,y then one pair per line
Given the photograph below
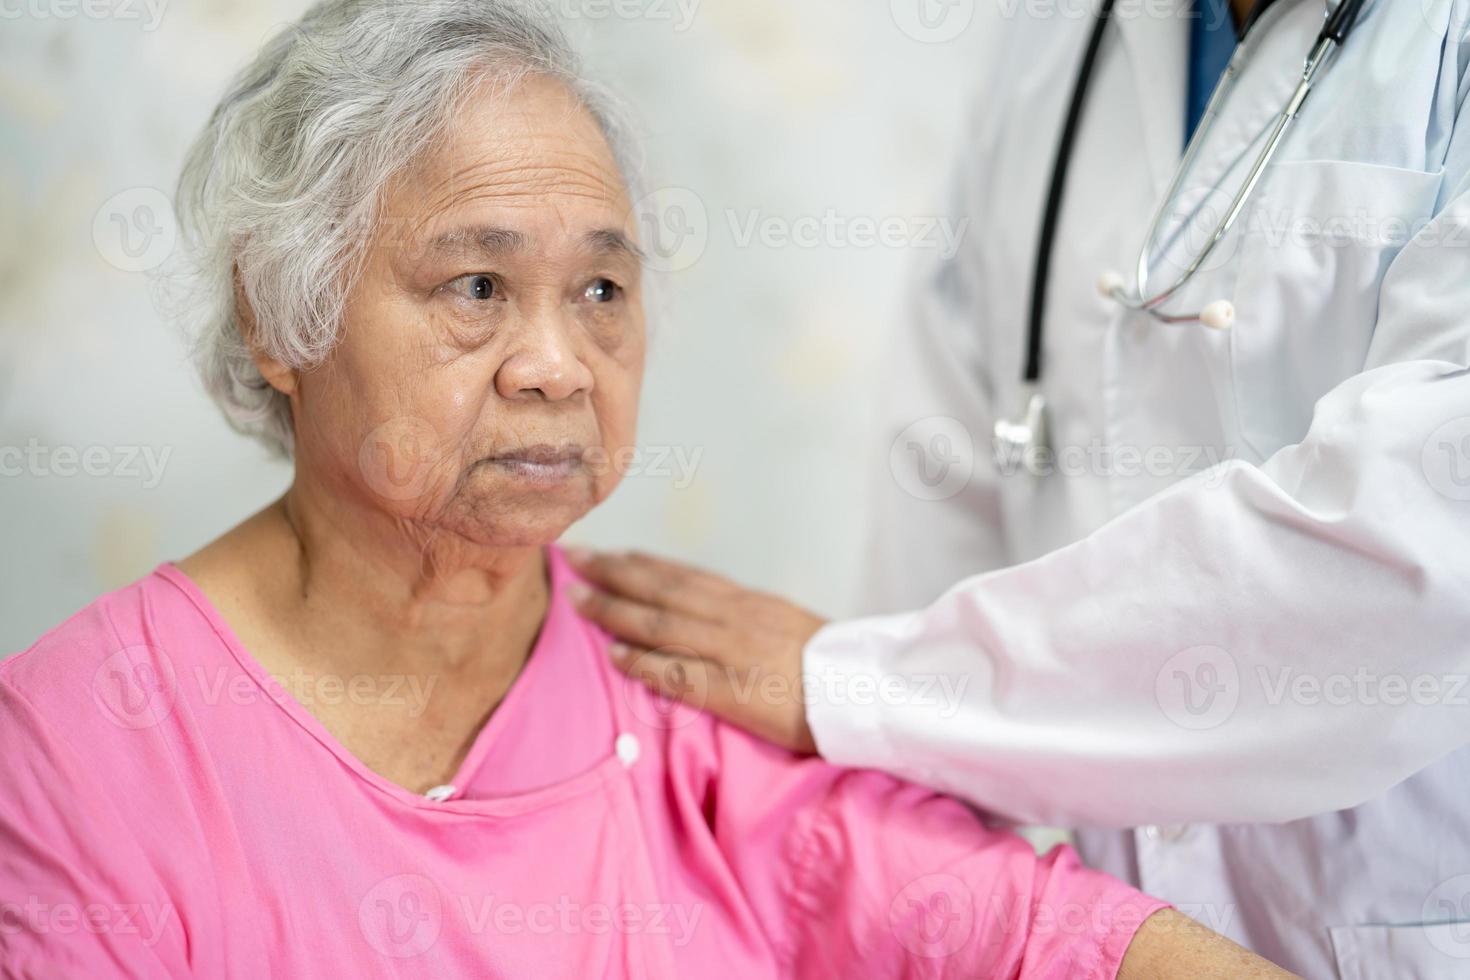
x,y
167,812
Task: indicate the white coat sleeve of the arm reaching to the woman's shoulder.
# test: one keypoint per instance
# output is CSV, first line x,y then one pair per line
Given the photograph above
x,y
1255,644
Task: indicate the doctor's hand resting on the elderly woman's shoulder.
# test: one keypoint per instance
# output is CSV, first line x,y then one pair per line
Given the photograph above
x,y
703,640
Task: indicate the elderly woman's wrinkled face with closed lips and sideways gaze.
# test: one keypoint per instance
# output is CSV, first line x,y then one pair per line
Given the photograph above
x,y
492,353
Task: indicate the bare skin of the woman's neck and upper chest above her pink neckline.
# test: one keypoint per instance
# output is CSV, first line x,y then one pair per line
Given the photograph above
x,y
323,594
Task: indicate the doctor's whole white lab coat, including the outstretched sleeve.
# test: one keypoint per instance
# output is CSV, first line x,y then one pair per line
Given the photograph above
x,y
1271,640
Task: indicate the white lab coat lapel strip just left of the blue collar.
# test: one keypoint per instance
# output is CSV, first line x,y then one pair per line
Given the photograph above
x,y
1156,45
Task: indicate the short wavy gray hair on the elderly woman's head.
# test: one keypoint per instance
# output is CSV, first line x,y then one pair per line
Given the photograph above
x,y
282,192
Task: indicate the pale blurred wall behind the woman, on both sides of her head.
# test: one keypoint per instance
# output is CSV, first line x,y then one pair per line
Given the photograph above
x,y
799,149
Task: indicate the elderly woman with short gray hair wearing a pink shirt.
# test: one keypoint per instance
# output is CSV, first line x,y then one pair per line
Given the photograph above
x,y
365,734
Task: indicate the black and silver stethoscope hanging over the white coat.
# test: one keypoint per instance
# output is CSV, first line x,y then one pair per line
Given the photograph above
x,y
1025,439
